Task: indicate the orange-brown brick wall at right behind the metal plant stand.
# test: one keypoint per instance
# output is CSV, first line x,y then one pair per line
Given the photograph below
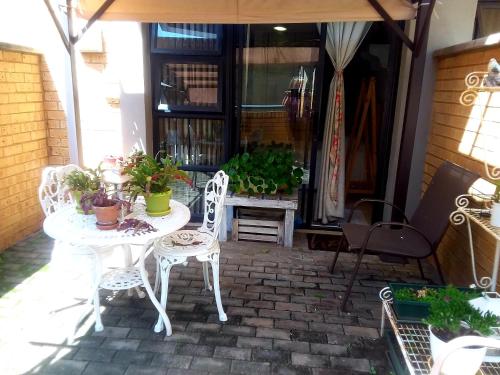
x,y
451,124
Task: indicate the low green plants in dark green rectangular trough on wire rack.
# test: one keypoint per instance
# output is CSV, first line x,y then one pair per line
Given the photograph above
x,y
411,302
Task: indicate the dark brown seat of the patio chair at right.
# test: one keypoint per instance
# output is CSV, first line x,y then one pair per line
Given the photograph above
x,y
402,241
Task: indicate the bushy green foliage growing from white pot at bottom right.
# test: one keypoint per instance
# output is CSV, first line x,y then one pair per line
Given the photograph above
x,y
451,307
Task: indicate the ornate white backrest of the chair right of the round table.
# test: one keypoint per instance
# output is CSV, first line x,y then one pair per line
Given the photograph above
x,y
215,194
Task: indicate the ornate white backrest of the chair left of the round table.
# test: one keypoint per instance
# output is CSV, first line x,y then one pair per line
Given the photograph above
x,y
52,193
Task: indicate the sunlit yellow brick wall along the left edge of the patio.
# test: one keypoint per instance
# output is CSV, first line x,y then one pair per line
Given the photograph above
x,y
23,145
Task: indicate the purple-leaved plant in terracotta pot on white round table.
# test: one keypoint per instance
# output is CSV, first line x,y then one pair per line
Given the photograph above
x,y
106,209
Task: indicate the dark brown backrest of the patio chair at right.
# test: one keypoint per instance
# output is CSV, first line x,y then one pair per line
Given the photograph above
x,y
438,202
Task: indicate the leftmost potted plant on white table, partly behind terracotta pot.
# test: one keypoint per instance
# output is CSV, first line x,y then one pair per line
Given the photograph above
x,y
80,182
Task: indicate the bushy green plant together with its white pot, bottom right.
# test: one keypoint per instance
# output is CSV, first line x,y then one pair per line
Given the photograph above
x,y
451,315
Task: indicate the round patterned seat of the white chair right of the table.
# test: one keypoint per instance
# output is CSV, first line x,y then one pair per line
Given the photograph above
x,y
183,243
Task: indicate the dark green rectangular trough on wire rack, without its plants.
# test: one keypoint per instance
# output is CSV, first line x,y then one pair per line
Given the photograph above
x,y
413,311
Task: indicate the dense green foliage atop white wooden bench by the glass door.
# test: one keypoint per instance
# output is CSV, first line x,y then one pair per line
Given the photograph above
x,y
268,169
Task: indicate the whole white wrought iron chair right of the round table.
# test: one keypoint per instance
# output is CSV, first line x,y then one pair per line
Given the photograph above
x,y
201,243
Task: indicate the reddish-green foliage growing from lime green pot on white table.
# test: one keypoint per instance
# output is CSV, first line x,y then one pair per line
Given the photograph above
x,y
151,176
